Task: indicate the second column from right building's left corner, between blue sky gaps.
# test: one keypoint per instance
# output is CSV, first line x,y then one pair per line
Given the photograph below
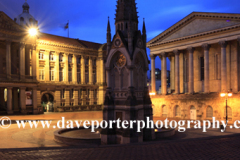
x,y
164,74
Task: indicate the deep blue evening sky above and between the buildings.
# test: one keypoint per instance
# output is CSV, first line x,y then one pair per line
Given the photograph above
x,y
88,19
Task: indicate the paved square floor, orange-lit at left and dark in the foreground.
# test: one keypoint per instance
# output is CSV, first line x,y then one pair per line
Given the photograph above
x,y
39,143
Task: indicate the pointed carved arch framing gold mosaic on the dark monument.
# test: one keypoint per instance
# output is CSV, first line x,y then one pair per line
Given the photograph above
x,y
114,52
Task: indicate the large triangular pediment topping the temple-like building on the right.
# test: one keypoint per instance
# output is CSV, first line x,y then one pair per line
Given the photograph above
x,y
197,23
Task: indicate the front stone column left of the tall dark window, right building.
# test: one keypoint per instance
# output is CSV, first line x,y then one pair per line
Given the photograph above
x,y
191,89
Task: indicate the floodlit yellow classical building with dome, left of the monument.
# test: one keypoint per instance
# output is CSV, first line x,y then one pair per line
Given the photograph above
x,y
47,72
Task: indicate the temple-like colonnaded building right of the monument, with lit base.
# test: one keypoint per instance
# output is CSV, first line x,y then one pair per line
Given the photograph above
x,y
204,54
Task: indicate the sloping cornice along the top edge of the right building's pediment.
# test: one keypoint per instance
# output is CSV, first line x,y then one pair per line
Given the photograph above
x,y
188,19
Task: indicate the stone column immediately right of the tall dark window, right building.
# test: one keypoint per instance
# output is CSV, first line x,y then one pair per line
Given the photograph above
x,y
206,67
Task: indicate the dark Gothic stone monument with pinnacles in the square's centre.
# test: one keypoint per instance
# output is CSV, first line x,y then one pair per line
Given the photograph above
x,y
127,96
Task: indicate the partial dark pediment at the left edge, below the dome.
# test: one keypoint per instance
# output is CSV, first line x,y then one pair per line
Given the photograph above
x,y
7,24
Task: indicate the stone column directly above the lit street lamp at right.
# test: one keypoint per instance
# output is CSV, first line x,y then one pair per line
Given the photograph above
x,y
223,66
